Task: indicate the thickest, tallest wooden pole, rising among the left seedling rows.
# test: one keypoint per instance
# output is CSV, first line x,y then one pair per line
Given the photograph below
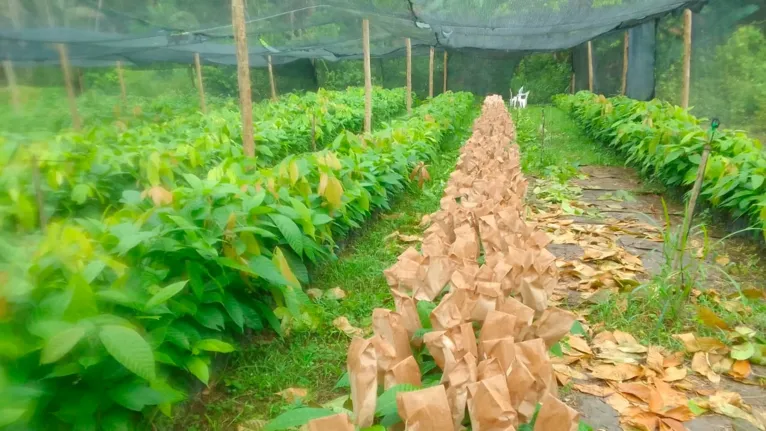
x,y
243,76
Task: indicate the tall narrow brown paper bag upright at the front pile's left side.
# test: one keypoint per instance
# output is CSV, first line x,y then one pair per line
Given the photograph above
x,y
362,366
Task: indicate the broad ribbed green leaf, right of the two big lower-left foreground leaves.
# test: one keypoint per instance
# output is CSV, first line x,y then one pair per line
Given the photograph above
x,y
129,349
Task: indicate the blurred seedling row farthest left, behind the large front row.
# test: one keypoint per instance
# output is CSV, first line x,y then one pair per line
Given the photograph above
x,y
81,174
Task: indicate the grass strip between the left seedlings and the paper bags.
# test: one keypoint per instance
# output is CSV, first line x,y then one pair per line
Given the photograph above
x,y
246,388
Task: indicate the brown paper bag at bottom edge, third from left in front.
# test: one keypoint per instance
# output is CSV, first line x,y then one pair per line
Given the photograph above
x,y
489,405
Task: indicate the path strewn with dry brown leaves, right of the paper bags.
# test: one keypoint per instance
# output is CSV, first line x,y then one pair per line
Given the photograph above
x,y
607,237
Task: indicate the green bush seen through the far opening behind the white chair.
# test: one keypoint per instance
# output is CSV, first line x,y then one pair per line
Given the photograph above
x,y
543,75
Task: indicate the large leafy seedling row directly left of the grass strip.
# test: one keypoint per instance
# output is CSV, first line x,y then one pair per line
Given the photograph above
x,y
103,320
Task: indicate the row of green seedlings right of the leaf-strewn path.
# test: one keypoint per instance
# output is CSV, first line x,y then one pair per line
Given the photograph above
x,y
666,142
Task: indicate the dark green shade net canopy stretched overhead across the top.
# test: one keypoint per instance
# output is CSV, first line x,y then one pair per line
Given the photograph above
x,y
139,32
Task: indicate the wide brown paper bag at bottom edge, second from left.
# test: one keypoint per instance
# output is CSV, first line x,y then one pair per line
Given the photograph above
x,y
425,410
